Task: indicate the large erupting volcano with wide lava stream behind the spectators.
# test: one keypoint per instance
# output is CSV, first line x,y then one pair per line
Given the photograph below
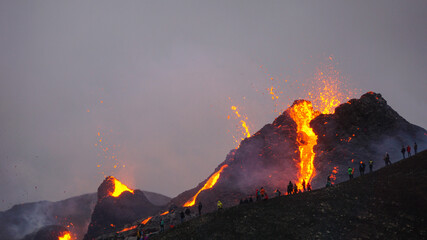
x,y
304,145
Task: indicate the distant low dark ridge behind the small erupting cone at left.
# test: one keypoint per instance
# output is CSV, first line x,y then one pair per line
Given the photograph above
x,y
73,213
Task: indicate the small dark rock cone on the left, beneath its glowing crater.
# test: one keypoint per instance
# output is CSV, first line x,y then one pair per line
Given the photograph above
x,y
112,213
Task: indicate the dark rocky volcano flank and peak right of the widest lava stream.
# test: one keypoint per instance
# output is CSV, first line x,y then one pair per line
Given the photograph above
x,y
361,130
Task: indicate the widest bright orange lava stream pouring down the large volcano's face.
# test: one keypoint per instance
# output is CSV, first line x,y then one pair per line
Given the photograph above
x,y
302,113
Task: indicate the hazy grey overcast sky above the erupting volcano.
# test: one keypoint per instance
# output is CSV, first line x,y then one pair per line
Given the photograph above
x,y
156,79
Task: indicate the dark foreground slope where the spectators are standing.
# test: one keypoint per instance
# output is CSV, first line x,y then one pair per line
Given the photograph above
x,y
387,204
